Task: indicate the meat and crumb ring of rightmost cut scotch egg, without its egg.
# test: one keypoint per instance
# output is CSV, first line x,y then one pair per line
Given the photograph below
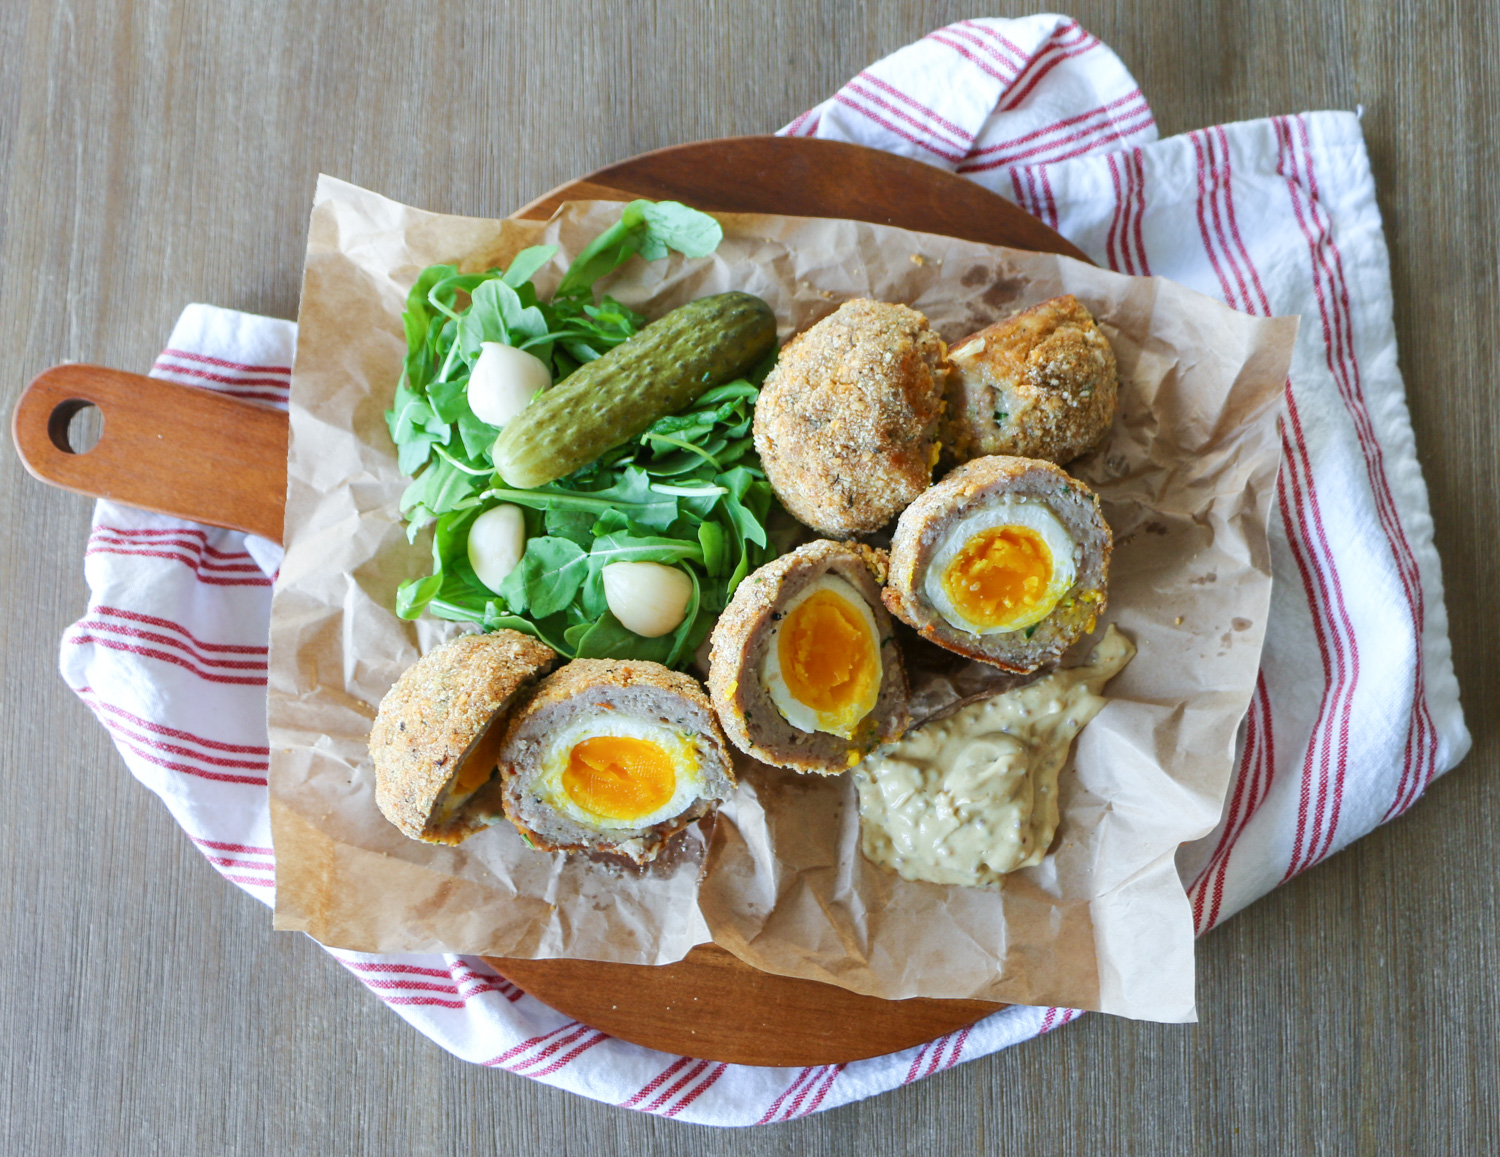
x,y
977,482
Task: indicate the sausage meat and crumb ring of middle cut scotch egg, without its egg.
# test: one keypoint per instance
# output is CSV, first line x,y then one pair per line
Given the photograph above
x,y
739,646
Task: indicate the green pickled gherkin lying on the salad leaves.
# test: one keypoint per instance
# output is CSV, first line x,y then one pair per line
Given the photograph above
x,y
617,397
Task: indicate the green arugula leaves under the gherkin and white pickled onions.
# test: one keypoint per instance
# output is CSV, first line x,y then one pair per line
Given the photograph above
x,y
689,493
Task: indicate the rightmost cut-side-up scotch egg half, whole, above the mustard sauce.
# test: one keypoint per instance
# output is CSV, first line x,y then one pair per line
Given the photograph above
x,y
1006,560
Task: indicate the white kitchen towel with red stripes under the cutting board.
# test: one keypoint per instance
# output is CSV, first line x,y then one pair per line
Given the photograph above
x,y
1357,709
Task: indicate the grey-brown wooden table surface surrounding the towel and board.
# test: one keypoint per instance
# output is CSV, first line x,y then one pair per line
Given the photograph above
x,y
161,152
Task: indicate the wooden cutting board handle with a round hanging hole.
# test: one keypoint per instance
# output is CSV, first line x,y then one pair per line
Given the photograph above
x,y
175,449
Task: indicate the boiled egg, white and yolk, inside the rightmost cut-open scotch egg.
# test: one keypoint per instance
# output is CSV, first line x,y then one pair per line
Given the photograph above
x,y
1001,568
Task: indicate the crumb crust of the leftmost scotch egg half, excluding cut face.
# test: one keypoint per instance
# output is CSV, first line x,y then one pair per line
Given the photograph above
x,y
436,711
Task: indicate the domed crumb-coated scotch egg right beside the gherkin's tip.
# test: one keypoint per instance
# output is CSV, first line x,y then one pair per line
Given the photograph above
x,y
847,422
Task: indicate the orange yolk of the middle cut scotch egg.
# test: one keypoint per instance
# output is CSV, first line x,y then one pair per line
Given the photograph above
x,y
829,660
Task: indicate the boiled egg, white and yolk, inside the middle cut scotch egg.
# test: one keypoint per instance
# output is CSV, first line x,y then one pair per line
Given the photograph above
x,y
823,666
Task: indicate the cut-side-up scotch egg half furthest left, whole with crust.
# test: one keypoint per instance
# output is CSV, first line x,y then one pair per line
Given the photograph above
x,y
614,757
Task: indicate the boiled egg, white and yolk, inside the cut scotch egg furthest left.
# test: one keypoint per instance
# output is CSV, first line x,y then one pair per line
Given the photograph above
x,y
611,772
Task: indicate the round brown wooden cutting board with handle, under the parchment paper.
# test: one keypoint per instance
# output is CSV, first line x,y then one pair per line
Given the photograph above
x,y
209,458
